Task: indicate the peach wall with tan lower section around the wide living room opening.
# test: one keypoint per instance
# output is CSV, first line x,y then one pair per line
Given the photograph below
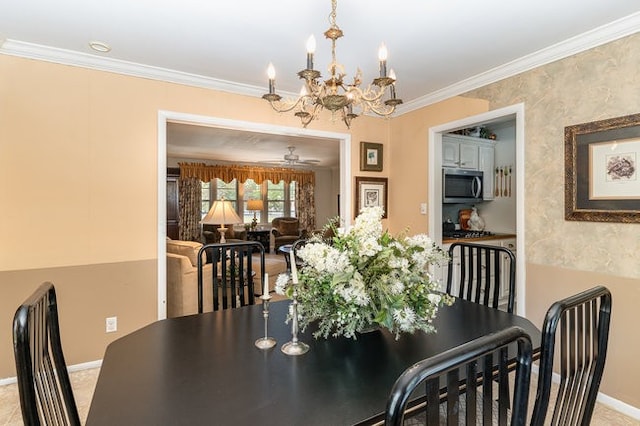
x,y
78,158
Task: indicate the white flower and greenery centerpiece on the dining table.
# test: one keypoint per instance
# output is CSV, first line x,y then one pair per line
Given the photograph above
x,y
366,277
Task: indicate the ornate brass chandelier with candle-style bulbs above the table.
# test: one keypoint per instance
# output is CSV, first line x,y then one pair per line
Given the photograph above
x,y
345,101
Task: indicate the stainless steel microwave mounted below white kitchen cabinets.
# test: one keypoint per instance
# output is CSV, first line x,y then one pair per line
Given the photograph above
x,y
461,185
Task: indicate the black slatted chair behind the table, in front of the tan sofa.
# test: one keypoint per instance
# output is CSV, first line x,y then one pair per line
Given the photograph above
x,y
233,274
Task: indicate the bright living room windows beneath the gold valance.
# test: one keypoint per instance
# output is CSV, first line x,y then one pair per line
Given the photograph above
x,y
278,198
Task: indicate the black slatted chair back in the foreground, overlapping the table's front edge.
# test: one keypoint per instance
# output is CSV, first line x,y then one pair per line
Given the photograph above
x,y
444,389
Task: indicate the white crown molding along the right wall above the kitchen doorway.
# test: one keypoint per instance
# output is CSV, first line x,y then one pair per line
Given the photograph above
x,y
588,40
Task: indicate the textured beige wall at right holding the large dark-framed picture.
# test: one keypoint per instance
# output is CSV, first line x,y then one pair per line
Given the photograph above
x,y
564,257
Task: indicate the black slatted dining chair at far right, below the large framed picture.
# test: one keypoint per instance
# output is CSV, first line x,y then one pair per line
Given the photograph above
x,y
580,324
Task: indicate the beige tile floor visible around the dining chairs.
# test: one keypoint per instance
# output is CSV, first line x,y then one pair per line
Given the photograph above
x,y
84,382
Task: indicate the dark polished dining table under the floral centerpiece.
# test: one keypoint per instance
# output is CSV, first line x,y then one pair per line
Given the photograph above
x,y
205,369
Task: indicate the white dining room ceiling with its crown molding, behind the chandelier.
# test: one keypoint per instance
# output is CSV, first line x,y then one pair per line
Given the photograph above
x,y
437,48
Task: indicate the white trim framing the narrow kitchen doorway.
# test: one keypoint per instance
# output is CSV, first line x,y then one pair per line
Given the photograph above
x,y
515,112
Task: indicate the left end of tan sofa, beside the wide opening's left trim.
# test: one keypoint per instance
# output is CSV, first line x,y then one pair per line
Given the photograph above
x,y
182,278
